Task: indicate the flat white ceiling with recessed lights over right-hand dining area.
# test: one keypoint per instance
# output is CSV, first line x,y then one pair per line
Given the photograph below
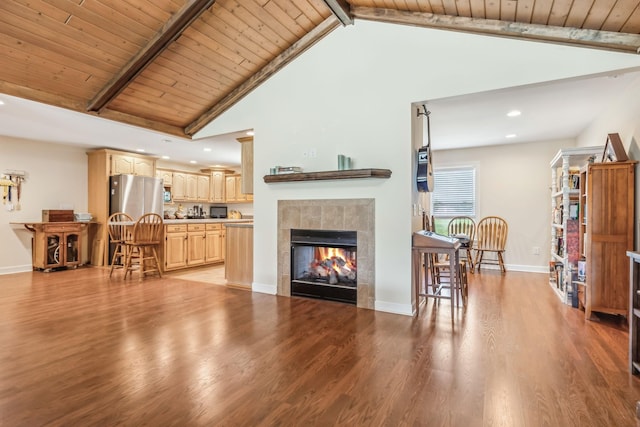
x,y
555,110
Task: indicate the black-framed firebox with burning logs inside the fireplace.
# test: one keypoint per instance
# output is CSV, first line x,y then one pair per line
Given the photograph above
x,y
323,264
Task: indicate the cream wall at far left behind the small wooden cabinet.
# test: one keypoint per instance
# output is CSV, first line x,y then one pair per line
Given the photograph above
x,y
56,178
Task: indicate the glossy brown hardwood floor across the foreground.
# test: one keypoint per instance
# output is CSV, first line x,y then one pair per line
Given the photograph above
x,y
79,349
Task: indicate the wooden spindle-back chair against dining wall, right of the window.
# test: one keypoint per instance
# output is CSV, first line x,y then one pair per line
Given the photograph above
x,y
491,236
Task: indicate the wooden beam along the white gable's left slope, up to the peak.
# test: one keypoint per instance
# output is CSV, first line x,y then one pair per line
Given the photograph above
x,y
308,40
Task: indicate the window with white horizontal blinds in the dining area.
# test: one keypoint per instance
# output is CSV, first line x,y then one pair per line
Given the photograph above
x,y
454,192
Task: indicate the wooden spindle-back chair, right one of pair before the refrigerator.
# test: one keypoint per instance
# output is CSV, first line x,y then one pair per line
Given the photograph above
x,y
142,247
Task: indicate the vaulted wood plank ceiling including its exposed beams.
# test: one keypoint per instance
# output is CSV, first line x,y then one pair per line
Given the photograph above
x,y
174,65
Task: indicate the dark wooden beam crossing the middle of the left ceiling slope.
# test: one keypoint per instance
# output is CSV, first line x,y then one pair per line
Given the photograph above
x,y
169,32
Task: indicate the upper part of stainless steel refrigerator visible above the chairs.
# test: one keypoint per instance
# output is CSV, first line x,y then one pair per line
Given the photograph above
x,y
136,195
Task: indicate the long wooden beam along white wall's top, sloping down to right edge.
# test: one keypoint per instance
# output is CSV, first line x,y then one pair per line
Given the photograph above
x,y
623,42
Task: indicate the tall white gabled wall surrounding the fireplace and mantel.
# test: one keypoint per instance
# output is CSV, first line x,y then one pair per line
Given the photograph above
x,y
351,93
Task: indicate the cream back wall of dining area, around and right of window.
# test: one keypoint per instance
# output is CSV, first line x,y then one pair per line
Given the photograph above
x,y
513,182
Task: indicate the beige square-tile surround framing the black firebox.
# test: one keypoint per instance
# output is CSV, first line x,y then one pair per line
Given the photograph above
x,y
354,215
